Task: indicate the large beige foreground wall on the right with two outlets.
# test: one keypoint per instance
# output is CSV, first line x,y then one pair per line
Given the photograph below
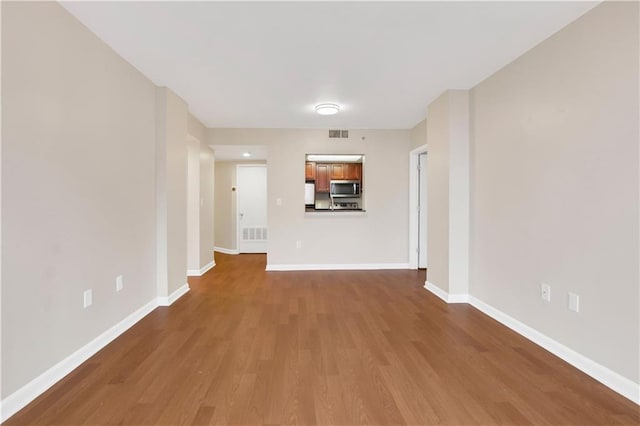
x,y
555,187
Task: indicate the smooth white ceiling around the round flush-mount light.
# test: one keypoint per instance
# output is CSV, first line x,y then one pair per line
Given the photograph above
x,y
265,65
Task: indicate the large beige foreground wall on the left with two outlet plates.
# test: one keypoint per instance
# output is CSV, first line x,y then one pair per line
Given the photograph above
x,y
78,188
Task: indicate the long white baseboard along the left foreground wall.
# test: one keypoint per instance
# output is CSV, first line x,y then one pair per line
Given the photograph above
x,y
23,396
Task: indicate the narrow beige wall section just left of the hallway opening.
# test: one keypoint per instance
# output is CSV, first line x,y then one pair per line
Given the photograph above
x,y
207,219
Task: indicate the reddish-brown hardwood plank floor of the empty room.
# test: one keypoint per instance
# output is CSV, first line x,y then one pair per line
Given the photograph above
x,y
344,348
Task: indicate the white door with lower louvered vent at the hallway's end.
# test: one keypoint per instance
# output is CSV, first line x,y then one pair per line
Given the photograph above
x,y
251,187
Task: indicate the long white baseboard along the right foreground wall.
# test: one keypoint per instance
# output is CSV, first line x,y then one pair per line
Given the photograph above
x,y
620,384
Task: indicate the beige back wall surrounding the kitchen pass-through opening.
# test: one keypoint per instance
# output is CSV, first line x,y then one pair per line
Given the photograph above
x,y
380,236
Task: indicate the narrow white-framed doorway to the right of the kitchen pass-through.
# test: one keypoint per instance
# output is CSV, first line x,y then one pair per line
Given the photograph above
x,y
418,187
